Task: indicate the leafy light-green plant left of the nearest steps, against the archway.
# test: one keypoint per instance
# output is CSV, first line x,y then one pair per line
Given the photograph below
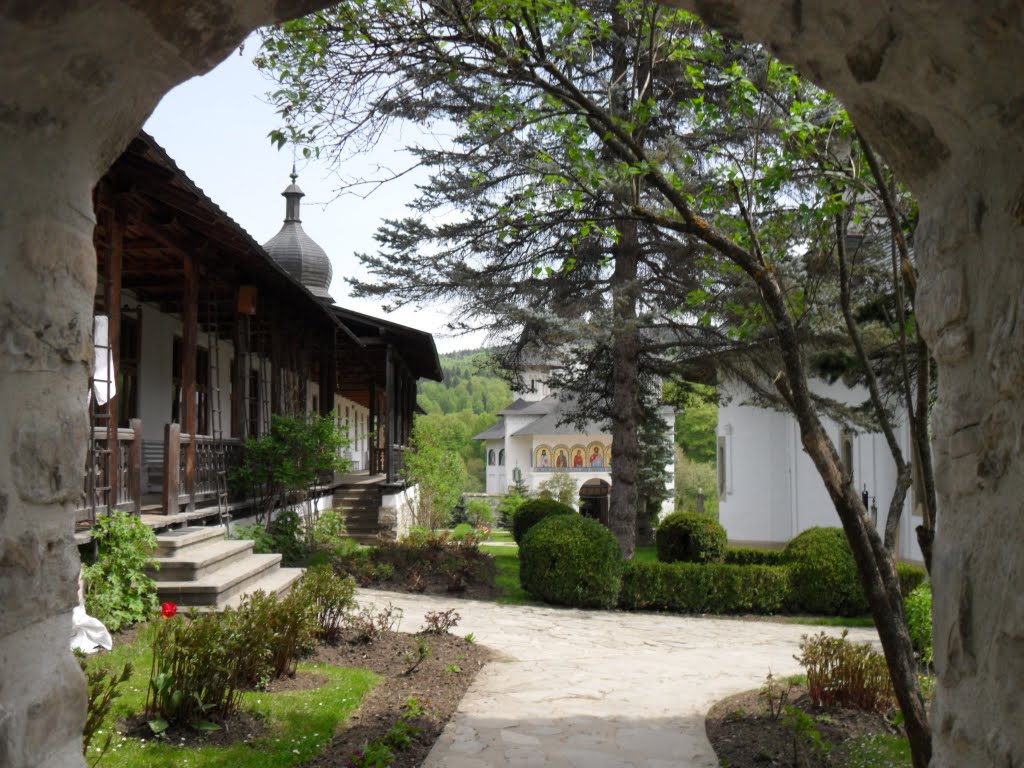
x,y
119,592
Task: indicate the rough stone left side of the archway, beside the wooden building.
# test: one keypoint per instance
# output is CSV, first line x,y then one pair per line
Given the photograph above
x,y
77,79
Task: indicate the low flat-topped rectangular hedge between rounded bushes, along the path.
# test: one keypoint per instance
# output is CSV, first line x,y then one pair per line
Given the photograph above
x,y
706,588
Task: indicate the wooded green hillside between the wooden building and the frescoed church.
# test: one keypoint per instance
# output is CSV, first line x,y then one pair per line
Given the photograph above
x,y
462,406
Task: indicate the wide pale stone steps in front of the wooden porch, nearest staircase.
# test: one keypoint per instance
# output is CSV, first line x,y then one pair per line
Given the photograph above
x,y
200,568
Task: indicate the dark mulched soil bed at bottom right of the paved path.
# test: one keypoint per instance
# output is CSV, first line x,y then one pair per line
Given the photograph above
x,y
745,736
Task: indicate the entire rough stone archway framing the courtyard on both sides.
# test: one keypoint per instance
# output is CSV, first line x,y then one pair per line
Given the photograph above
x,y
933,83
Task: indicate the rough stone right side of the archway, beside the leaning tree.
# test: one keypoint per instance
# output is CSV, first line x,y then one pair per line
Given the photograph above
x,y
936,86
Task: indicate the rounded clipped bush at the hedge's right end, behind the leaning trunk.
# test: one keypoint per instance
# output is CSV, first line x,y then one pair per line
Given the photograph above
x,y
825,574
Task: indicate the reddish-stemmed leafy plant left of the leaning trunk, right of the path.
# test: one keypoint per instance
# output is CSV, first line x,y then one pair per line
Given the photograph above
x,y
845,674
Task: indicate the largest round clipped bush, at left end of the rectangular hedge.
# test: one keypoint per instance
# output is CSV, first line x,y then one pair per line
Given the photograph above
x,y
572,561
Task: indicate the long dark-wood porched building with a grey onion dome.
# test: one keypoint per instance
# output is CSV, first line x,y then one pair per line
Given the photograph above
x,y
209,334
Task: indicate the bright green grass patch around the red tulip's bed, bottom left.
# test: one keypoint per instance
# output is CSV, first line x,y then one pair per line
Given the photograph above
x,y
301,724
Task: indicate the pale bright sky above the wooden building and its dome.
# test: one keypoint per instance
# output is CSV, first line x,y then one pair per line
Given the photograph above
x,y
216,129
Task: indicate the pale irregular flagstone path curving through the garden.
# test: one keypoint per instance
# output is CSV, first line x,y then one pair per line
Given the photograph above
x,y
596,690
